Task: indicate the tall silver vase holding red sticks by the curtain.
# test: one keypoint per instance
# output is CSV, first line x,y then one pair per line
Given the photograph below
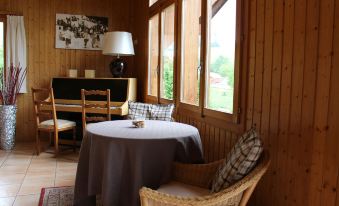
x,y
12,80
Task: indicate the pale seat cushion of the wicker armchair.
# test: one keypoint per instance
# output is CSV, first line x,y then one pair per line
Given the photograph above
x,y
184,190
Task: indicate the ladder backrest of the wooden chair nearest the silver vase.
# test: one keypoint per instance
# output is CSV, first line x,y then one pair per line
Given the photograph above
x,y
38,102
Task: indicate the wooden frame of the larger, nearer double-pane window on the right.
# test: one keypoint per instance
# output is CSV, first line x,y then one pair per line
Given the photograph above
x,y
201,108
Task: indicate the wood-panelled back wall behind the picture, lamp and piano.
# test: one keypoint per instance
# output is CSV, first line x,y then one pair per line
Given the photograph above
x,y
44,61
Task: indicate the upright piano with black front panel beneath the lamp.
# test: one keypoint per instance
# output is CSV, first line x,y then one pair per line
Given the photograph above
x,y
67,92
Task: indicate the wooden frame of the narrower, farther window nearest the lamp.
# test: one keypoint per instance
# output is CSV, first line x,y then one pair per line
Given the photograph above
x,y
158,8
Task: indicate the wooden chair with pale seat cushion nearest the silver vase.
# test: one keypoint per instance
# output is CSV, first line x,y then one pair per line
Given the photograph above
x,y
50,124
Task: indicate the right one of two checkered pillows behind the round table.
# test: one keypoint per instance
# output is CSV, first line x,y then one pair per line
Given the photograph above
x,y
162,112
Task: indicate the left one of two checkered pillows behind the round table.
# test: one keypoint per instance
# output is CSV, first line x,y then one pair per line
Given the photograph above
x,y
139,111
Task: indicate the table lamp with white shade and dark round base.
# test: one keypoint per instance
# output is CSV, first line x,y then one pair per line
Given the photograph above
x,y
118,44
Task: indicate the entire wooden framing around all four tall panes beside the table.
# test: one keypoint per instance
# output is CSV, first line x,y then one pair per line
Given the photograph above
x,y
201,110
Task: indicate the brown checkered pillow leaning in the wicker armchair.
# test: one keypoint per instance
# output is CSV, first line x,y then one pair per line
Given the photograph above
x,y
239,162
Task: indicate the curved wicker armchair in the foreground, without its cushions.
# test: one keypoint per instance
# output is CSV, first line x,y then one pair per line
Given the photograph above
x,y
200,175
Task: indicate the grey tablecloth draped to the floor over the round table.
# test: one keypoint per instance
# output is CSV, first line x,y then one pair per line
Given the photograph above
x,y
116,159
